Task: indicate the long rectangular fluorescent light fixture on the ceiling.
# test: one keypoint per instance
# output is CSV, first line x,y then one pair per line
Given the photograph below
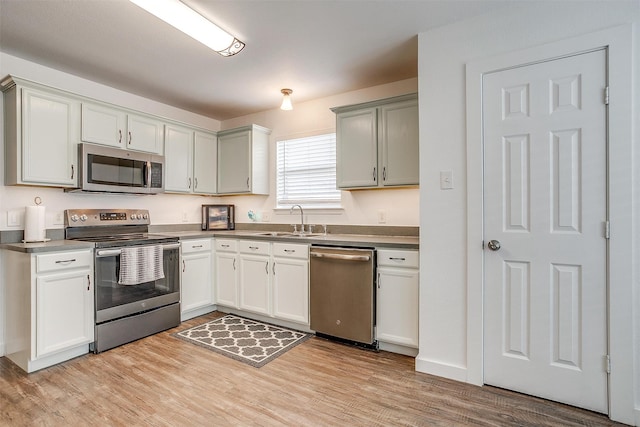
x,y
190,22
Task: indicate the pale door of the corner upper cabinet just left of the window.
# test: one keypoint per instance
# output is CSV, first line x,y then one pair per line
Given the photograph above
x,y
234,163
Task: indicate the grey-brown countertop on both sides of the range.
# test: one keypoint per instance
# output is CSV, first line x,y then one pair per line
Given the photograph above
x,y
361,240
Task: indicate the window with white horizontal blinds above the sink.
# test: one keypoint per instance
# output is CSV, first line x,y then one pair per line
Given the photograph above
x,y
307,172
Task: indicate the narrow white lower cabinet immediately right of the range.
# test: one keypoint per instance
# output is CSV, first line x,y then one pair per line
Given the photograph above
x,y
196,284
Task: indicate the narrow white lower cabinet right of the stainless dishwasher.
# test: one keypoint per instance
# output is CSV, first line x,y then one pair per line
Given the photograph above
x,y
397,298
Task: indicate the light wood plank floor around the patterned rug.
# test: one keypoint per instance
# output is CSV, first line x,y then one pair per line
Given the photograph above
x,y
164,381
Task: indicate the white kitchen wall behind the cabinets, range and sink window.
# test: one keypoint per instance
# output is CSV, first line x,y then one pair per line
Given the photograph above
x,y
361,207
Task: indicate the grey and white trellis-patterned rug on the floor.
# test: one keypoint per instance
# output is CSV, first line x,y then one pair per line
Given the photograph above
x,y
243,339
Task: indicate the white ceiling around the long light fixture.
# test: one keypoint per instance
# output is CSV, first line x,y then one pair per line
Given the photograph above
x,y
318,48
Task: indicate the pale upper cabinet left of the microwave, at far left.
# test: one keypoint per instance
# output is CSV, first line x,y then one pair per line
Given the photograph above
x,y
41,135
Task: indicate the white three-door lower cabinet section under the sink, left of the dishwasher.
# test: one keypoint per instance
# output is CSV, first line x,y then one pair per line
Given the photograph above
x,y
264,278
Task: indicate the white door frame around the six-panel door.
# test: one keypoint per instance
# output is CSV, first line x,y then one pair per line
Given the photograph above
x,y
618,42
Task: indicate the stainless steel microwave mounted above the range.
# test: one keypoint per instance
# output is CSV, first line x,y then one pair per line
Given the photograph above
x,y
114,170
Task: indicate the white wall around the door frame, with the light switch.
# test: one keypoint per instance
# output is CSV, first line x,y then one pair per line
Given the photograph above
x,y
443,53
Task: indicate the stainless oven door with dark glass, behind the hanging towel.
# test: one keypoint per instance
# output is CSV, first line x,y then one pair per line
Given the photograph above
x,y
114,301
